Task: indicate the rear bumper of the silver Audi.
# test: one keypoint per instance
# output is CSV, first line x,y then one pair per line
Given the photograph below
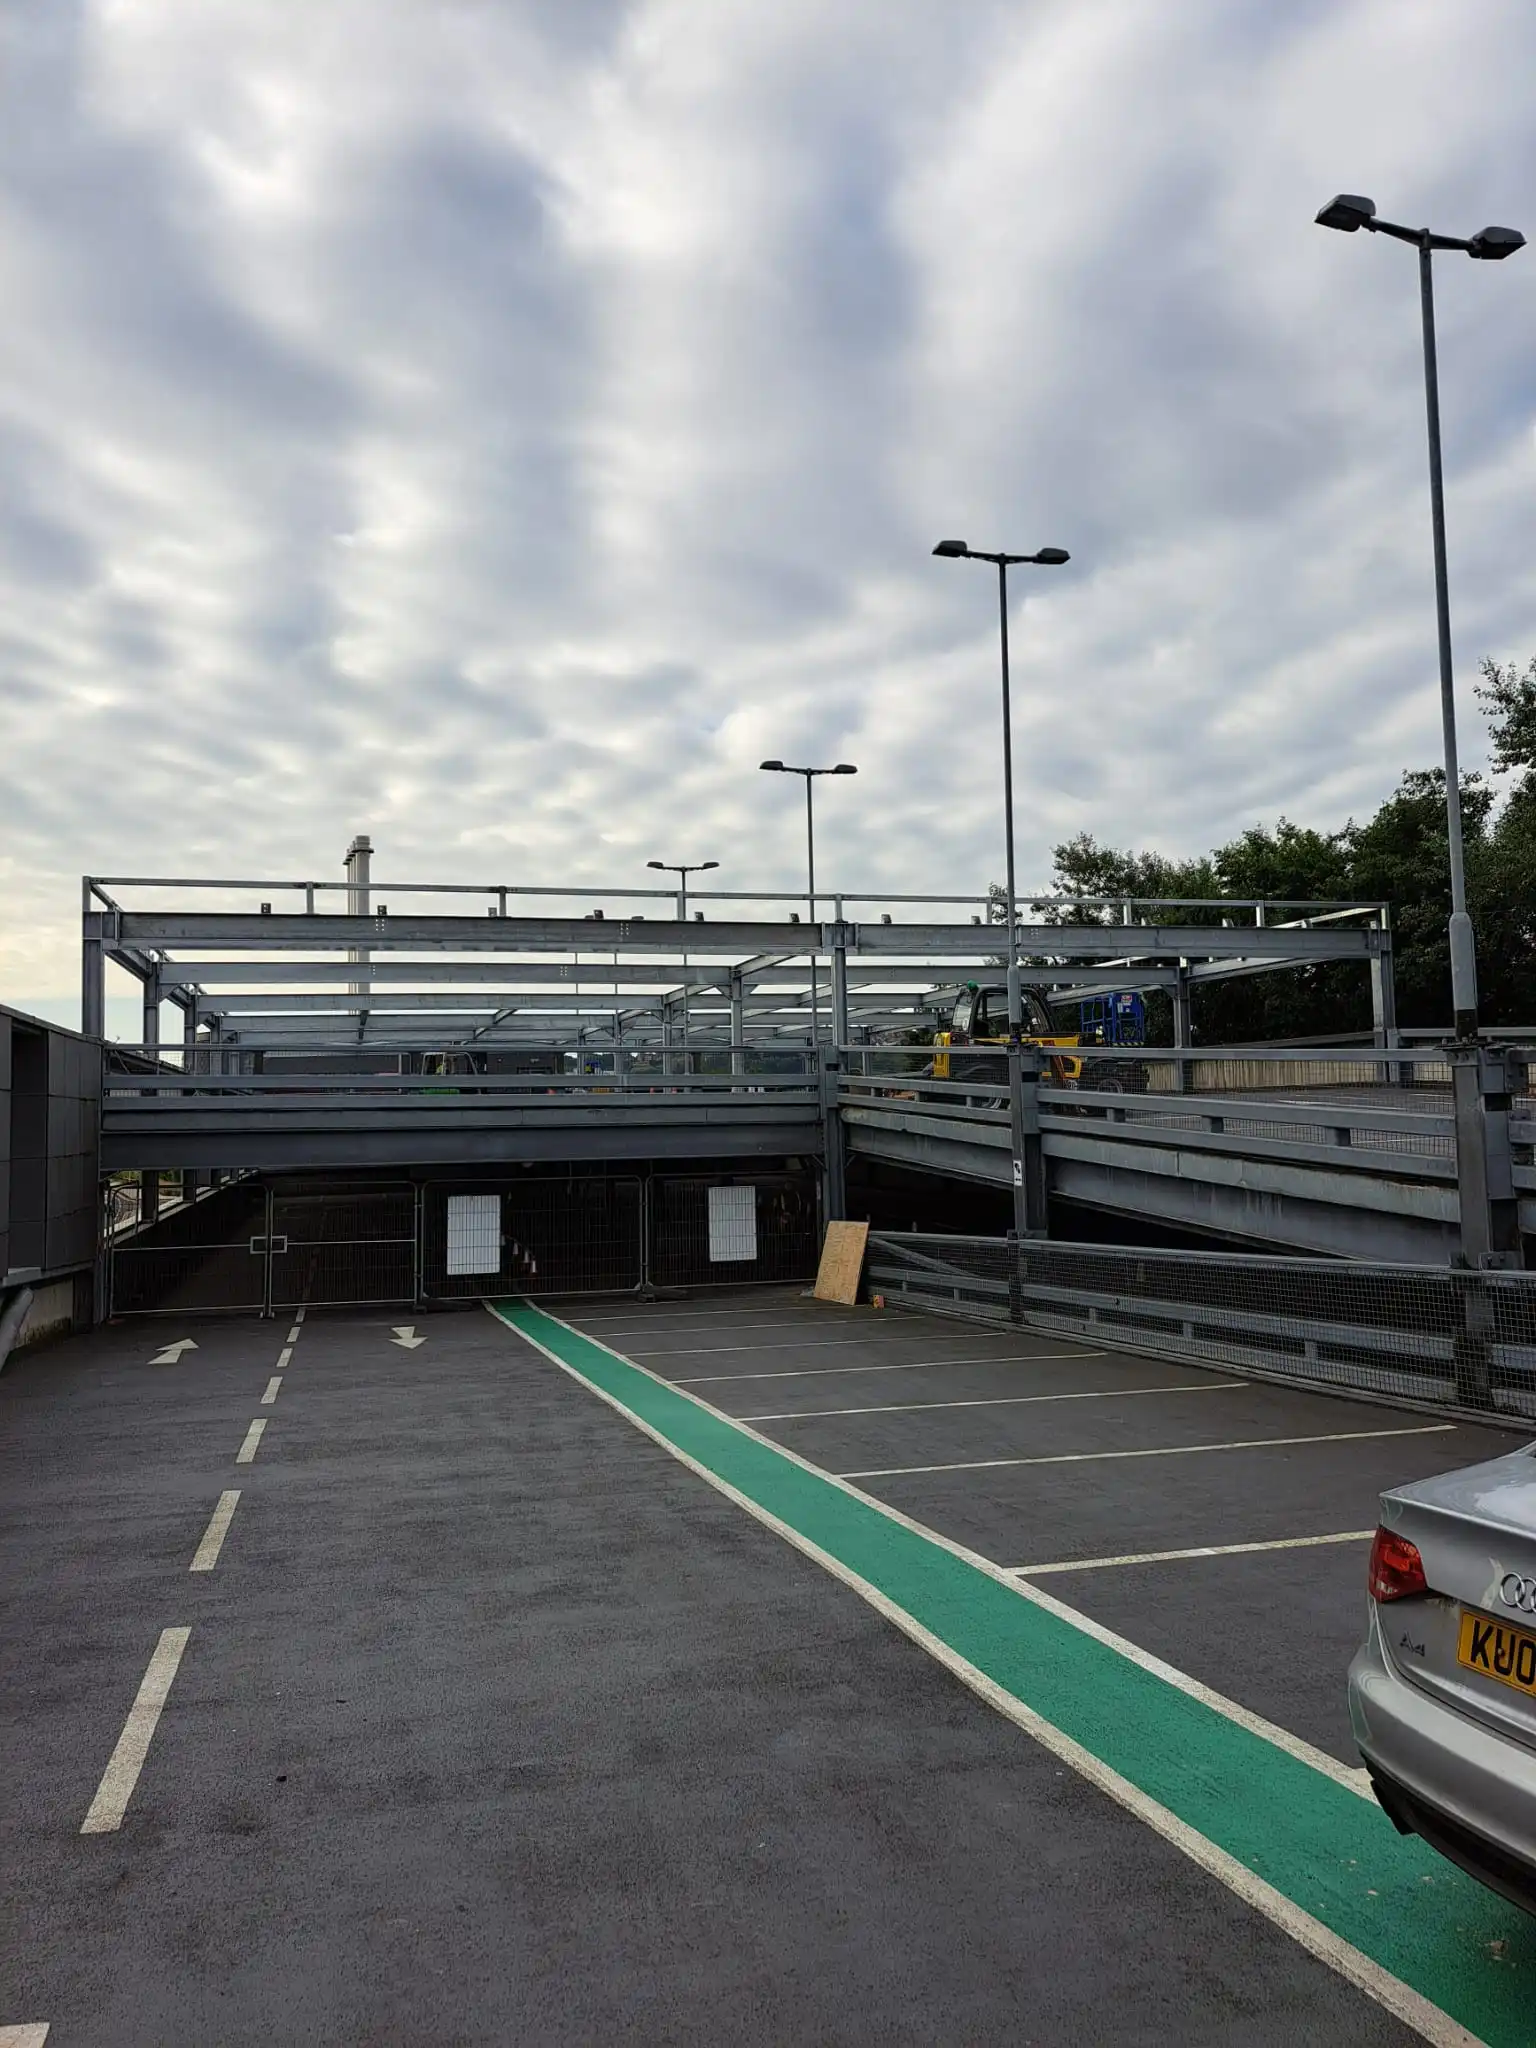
x,y
1439,1775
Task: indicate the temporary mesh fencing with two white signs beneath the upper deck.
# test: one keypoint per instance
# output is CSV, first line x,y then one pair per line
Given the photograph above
x,y
282,1242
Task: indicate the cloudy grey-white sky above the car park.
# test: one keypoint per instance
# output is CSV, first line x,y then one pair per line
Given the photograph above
x,y
497,425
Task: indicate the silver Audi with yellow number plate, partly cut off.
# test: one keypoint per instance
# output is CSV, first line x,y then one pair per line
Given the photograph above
x,y
1443,1693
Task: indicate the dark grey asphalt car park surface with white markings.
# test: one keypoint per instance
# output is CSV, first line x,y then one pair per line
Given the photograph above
x,y
497,1723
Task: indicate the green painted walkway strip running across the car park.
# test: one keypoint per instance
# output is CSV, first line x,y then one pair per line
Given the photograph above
x,y
1324,1848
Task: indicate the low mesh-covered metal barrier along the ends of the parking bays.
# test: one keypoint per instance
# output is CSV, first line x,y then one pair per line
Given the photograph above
x,y
1441,1336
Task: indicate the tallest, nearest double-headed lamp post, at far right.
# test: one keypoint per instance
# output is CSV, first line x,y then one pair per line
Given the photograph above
x,y
1492,245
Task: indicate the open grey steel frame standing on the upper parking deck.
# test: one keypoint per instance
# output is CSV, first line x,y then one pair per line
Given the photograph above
x,y
259,976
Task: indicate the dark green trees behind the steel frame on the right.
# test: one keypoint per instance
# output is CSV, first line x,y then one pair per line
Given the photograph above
x,y
1400,857
